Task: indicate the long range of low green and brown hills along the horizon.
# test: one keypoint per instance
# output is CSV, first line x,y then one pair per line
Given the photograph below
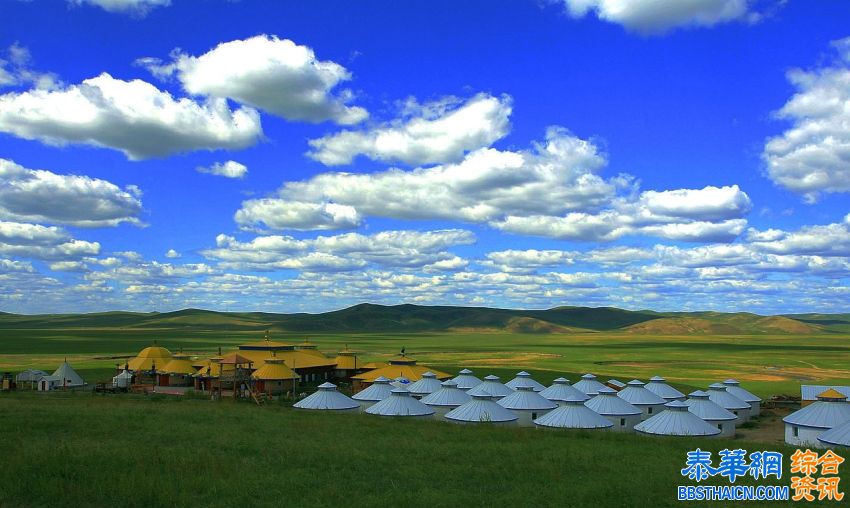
x,y
370,318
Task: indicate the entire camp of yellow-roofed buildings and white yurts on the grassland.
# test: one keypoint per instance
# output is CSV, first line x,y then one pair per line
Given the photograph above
x,y
400,388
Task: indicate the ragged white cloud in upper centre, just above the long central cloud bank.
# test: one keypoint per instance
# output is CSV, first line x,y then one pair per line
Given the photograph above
x,y
437,132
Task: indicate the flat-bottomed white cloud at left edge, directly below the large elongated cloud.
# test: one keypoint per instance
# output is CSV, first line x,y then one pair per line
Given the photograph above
x,y
37,195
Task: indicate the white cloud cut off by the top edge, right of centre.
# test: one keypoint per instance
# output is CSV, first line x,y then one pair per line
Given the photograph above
x,y
656,16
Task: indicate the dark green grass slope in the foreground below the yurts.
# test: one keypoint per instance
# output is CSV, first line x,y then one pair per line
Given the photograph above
x,y
94,450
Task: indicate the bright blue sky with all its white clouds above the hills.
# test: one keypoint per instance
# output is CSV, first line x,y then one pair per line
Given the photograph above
x,y
306,156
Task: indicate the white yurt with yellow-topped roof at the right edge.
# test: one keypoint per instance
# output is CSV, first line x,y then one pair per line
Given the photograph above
x,y
803,427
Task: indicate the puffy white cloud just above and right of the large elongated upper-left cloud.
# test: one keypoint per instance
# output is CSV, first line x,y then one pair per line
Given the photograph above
x,y
275,75
